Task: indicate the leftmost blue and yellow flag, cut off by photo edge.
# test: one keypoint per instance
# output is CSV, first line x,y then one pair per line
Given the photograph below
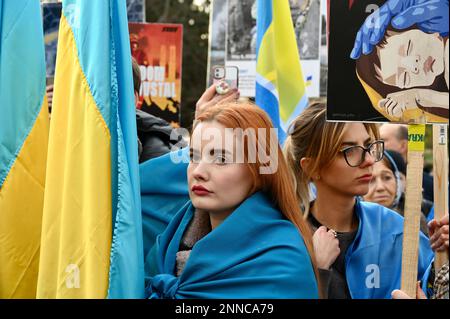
x,y
23,145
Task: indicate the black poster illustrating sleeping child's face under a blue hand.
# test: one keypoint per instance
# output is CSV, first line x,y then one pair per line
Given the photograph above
x,y
388,61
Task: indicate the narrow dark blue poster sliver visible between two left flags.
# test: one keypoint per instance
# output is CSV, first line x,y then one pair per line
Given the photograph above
x,y
51,14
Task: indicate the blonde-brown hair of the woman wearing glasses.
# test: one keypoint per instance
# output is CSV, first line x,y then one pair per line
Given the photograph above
x,y
313,137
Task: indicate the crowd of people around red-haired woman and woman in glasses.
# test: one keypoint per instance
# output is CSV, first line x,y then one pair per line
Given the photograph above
x,y
325,223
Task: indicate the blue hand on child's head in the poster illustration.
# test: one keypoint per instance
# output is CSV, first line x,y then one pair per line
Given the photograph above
x,y
429,15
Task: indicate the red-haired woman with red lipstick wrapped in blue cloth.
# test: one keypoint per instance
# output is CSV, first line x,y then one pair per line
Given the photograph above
x,y
241,233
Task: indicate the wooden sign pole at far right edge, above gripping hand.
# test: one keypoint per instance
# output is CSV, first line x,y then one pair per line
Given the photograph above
x,y
440,180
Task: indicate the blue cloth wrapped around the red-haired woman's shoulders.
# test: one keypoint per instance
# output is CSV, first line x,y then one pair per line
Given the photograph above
x,y
254,253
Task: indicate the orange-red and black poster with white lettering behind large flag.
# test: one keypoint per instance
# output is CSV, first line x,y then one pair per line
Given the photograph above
x,y
157,49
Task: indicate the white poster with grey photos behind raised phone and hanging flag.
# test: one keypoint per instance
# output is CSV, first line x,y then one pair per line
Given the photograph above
x,y
233,40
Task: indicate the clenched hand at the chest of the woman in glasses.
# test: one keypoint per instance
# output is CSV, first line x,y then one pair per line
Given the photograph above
x,y
326,247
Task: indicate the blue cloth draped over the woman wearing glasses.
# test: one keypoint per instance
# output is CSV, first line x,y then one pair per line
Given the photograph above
x,y
373,261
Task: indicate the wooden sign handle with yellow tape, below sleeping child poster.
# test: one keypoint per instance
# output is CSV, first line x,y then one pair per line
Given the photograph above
x,y
413,201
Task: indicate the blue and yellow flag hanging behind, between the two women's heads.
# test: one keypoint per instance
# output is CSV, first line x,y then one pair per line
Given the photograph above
x,y
280,86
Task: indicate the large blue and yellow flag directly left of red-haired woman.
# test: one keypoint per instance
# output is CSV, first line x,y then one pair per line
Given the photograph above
x,y
91,243
